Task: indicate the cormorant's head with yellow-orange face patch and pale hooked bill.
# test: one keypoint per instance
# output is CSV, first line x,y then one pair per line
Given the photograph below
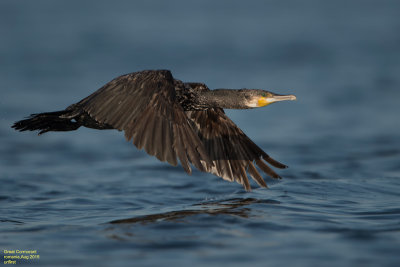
x,y
259,98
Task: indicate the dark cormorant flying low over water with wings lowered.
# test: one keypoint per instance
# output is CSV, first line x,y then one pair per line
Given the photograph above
x,y
172,120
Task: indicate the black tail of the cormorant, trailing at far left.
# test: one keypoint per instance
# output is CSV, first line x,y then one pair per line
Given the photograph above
x,y
48,121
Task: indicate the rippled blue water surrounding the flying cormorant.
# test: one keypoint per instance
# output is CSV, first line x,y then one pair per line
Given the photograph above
x,y
88,198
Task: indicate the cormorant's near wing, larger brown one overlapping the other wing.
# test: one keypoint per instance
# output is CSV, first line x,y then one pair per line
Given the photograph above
x,y
143,105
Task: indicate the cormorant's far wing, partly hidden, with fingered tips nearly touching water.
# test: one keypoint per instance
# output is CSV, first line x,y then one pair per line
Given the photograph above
x,y
231,151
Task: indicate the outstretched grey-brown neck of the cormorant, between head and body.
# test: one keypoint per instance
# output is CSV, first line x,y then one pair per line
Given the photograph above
x,y
222,98
